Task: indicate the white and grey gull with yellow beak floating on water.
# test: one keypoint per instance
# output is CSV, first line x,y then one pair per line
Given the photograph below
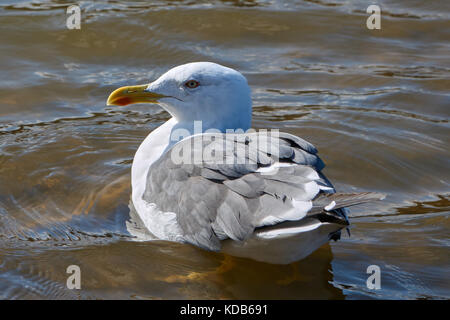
x,y
271,205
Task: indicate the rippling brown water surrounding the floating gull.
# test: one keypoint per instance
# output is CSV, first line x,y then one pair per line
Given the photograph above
x,y
375,103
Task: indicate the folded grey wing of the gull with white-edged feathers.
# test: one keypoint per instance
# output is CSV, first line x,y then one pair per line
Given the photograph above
x,y
226,185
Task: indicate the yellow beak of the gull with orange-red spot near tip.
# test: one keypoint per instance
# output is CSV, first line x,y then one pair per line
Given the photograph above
x,y
132,94
